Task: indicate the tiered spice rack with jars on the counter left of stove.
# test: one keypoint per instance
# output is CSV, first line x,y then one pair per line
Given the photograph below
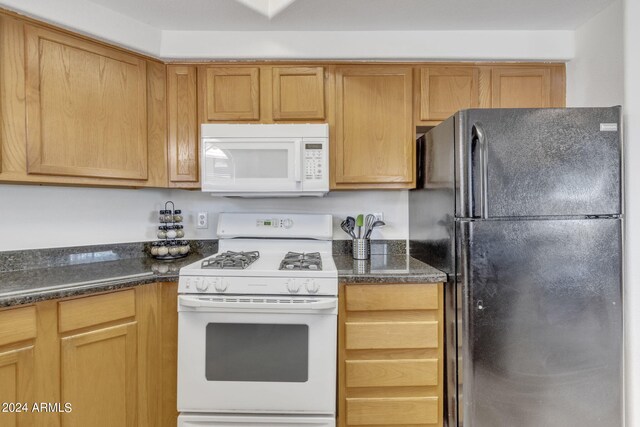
x,y
170,231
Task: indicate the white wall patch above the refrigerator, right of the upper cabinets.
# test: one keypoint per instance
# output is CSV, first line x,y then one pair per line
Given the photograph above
x,y
595,75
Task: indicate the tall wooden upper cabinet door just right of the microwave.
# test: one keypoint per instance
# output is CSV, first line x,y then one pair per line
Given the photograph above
x,y
374,133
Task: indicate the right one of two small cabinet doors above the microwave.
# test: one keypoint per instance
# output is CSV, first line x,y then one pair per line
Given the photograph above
x,y
298,93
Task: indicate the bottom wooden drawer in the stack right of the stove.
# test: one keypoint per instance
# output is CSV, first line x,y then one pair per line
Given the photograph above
x,y
392,411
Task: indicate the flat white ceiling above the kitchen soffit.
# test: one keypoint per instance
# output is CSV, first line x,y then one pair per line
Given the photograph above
x,y
359,15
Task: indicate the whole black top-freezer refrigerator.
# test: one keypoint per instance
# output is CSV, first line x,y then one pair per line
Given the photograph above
x,y
523,209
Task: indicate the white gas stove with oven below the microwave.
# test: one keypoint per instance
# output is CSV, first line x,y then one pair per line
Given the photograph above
x,y
257,325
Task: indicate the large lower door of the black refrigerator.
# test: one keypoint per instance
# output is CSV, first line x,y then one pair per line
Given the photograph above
x,y
541,323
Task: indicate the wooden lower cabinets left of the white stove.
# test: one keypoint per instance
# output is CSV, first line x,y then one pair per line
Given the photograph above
x,y
110,358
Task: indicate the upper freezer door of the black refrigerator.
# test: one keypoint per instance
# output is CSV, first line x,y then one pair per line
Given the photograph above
x,y
540,162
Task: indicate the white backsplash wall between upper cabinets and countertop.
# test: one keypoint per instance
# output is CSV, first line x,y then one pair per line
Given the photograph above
x,y
42,216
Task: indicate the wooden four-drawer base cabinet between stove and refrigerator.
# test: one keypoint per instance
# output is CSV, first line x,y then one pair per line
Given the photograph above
x,y
390,355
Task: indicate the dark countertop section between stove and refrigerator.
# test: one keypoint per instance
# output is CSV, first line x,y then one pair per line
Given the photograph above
x,y
380,269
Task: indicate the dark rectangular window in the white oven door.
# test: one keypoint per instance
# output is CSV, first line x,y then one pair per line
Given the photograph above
x,y
257,352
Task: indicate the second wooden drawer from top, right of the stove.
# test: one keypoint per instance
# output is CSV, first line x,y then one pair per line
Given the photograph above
x,y
380,335
